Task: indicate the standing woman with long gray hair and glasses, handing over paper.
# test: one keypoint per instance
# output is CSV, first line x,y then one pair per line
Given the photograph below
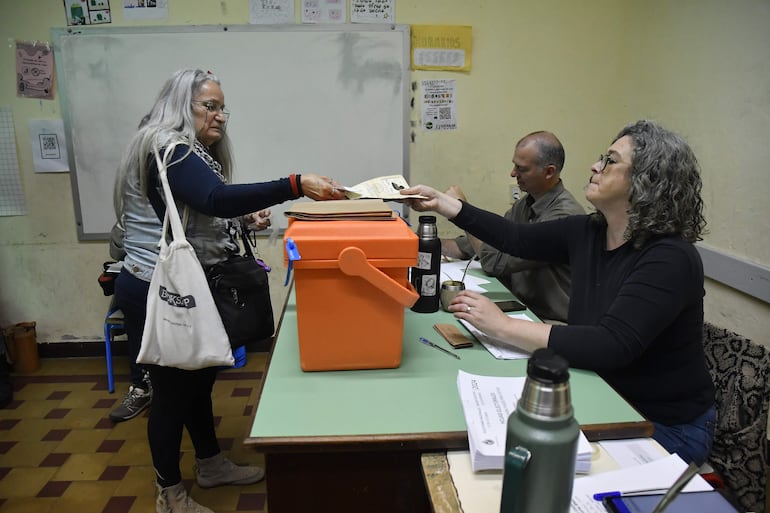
x,y
189,113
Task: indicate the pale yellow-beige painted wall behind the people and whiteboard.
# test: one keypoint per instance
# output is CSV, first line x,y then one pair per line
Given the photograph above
x,y
697,66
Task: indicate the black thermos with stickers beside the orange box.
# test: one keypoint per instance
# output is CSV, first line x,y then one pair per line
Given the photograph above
x,y
425,277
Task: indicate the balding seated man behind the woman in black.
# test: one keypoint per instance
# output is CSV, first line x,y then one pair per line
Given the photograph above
x,y
544,287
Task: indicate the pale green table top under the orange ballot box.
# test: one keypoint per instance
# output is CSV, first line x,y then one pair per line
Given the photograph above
x,y
417,399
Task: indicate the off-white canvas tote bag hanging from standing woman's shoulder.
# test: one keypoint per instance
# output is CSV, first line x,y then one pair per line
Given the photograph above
x,y
183,328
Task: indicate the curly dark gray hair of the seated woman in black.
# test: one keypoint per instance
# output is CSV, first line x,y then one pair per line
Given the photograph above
x,y
665,192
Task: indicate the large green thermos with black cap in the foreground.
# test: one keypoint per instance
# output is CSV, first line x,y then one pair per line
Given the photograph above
x,y
541,441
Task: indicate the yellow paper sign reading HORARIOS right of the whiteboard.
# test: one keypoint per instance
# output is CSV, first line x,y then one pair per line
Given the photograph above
x,y
437,47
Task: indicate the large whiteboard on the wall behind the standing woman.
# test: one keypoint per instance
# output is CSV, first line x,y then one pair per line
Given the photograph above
x,y
332,100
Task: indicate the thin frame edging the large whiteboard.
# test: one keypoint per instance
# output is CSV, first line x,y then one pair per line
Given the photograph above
x,y
58,34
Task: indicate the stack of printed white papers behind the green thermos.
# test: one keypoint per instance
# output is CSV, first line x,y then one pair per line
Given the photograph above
x,y
487,402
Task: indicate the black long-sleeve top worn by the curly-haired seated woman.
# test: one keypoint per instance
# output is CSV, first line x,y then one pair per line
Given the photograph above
x,y
635,316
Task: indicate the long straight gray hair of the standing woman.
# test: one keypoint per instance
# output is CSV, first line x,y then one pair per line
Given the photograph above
x,y
169,121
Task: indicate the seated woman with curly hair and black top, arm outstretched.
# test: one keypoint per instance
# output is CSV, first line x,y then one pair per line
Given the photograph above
x,y
636,308
